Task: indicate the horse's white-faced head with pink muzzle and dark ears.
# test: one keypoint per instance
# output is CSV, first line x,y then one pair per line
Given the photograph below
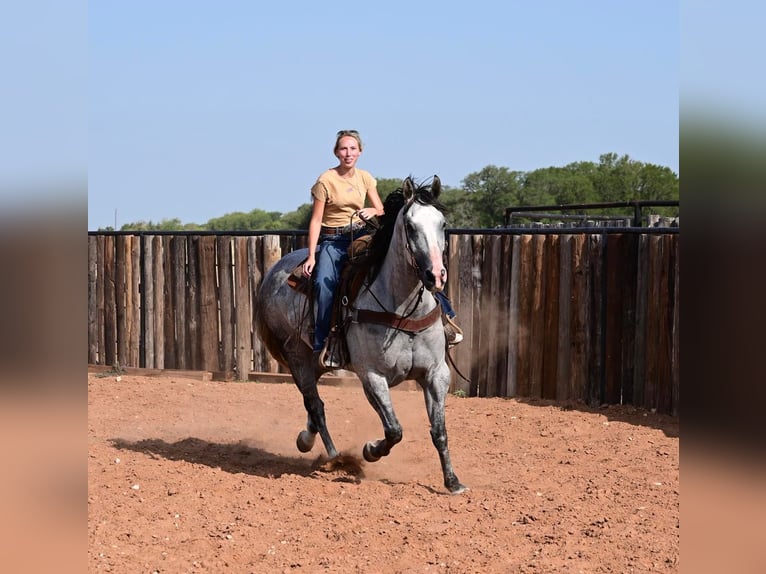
x,y
424,225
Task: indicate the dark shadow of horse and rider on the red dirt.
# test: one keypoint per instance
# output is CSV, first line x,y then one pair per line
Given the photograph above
x,y
233,458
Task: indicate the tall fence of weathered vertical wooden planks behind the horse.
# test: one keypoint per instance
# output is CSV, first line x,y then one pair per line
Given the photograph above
x,y
590,316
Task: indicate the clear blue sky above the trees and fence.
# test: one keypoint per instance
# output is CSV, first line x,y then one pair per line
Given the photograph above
x,y
201,108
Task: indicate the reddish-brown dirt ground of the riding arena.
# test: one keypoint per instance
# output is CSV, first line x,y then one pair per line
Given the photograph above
x,y
186,475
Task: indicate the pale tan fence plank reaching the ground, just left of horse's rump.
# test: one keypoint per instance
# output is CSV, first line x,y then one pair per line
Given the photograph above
x,y
243,314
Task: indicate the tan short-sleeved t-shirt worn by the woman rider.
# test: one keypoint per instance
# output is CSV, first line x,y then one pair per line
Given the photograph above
x,y
342,197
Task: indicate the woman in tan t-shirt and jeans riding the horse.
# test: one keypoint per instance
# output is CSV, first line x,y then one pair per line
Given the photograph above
x,y
339,196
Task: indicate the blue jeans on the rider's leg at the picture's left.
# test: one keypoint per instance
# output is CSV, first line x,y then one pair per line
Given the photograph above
x,y
333,253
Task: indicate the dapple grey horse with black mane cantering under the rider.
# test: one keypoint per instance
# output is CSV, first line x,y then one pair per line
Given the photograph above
x,y
393,326
